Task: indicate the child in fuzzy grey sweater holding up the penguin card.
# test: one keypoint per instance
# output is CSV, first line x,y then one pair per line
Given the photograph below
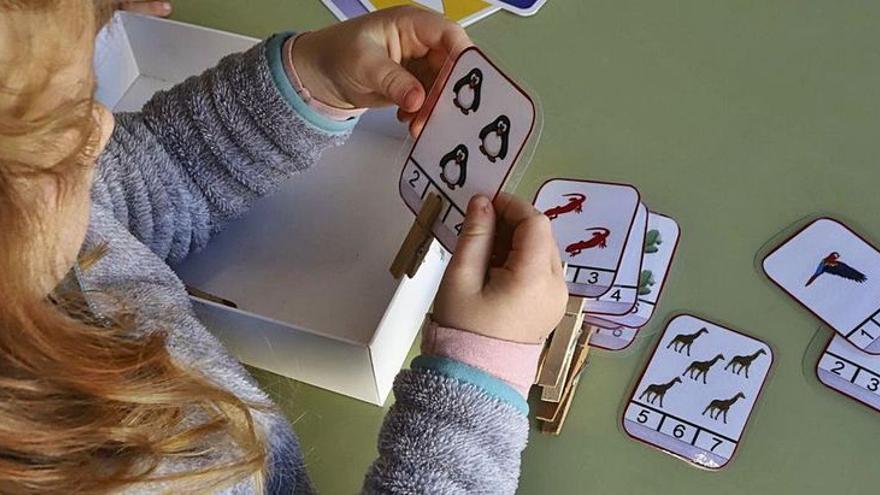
x,y
110,383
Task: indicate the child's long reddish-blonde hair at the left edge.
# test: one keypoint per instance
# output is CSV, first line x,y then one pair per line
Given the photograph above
x,y
87,406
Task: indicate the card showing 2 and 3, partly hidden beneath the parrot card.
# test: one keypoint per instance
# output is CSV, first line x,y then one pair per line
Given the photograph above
x,y
851,372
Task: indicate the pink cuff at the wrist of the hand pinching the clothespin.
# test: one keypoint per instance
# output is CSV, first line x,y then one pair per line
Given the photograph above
x,y
513,362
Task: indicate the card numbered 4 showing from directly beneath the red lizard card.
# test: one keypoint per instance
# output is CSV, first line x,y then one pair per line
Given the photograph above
x,y
621,298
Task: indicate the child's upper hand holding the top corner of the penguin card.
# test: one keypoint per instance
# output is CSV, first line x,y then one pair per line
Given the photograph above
x,y
388,57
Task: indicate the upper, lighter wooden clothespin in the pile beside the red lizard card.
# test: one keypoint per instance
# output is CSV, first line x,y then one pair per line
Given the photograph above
x,y
559,354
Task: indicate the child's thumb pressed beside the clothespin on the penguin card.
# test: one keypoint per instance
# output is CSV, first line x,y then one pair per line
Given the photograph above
x,y
470,262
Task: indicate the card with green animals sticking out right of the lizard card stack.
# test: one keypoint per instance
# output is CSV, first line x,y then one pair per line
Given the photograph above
x,y
661,243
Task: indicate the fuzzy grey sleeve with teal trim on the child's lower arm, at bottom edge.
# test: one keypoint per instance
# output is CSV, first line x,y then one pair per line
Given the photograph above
x,y
453,429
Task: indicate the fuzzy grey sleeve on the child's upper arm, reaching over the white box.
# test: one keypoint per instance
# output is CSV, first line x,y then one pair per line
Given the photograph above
x,y
199,154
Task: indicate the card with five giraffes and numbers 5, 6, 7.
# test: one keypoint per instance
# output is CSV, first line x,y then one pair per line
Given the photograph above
x,y
698,391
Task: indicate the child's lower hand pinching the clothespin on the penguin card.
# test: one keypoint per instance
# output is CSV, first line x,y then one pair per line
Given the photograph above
x,y
505,279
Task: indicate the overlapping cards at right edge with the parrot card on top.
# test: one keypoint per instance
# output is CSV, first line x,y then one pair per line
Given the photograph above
x,y
835,274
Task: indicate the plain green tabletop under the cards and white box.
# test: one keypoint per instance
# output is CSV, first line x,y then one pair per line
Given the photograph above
x,y
737,118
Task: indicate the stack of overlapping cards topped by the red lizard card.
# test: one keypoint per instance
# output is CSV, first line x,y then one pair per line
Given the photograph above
x,y
617,254
